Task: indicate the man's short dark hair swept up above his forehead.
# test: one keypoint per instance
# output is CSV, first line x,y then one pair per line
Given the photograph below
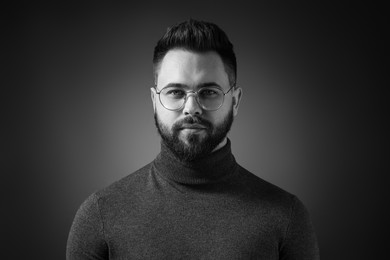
x,y
197,36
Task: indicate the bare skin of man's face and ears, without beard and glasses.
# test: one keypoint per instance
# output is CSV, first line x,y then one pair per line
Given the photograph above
x,y
191,70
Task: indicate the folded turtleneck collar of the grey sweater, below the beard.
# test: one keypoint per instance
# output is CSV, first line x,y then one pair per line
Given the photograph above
x,y
213,168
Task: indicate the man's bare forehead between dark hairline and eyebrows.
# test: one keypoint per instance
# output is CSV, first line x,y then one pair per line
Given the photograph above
x,y
191,68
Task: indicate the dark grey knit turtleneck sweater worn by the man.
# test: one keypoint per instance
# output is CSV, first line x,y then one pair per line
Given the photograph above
x,y
211,208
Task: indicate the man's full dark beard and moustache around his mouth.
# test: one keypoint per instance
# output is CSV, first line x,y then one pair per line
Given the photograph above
x,y
195,146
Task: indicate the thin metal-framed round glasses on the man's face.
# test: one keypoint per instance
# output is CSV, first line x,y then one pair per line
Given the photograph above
x,y
209,98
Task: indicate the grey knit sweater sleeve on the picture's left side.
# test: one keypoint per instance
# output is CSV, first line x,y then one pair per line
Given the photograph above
x,y
86,236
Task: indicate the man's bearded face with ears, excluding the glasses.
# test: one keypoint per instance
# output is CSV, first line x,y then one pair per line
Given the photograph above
x,y
193,132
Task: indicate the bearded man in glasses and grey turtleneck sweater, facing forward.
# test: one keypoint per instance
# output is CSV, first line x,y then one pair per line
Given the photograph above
x,y
193,201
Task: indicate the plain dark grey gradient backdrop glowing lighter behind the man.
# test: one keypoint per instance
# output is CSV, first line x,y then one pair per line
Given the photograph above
x,y
309,121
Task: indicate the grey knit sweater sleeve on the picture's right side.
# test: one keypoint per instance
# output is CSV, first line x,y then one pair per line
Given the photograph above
x,y
300,240
